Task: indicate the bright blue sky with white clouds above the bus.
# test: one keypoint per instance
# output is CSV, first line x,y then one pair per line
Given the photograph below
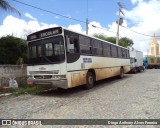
x,y
142,16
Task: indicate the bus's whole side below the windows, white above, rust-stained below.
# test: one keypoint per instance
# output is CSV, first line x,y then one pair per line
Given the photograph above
x,y
104,67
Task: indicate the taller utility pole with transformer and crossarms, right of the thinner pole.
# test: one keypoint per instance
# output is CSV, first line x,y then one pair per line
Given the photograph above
x,y
120,21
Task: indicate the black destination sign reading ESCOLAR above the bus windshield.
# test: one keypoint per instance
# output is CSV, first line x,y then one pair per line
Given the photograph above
x,y
45,33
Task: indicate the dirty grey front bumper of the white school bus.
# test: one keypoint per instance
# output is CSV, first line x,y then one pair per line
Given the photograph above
x,y
49,82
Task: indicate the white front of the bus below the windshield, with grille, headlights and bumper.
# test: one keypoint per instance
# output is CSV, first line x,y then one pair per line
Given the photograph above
x,y
54,75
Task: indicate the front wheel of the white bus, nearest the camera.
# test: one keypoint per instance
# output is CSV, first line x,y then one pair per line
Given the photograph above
x,y
89,80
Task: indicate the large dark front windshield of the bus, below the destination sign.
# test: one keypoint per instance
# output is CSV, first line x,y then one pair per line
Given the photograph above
x,y
47,51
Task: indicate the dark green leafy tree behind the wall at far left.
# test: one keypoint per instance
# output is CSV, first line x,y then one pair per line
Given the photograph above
x,y
11,48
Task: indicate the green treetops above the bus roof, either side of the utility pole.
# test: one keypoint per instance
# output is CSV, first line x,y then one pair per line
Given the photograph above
x,y
125,42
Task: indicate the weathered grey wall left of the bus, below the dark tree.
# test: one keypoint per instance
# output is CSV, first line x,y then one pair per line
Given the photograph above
x,y
19,72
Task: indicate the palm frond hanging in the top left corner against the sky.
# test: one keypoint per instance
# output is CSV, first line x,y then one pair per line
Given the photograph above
x,y
7,7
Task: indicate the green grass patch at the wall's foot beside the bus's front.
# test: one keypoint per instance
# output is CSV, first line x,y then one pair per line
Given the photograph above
x,y
26,90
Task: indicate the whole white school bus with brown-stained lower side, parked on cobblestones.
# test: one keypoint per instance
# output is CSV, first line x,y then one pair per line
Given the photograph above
x,y
63,58
